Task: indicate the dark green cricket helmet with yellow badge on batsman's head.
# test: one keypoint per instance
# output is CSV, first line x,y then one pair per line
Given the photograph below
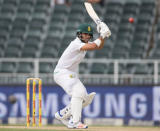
x,y
84,28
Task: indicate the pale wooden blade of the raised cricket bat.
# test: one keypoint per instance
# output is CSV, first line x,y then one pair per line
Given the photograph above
x,y
92,12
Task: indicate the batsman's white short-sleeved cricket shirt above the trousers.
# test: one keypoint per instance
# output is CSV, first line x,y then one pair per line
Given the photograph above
x,y
72,56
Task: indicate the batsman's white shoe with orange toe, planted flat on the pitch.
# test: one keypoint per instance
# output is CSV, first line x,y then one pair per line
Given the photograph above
x,y
78,125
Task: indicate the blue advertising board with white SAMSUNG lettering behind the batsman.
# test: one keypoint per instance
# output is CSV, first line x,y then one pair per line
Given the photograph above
x,y
127,103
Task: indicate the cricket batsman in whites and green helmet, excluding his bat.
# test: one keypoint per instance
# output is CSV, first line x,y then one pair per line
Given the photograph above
x,y
66,75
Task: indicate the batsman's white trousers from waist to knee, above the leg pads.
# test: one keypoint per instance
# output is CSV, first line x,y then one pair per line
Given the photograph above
x,y
70,82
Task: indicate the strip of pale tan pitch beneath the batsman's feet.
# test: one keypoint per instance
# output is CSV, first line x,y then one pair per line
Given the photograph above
x,y
63,128
